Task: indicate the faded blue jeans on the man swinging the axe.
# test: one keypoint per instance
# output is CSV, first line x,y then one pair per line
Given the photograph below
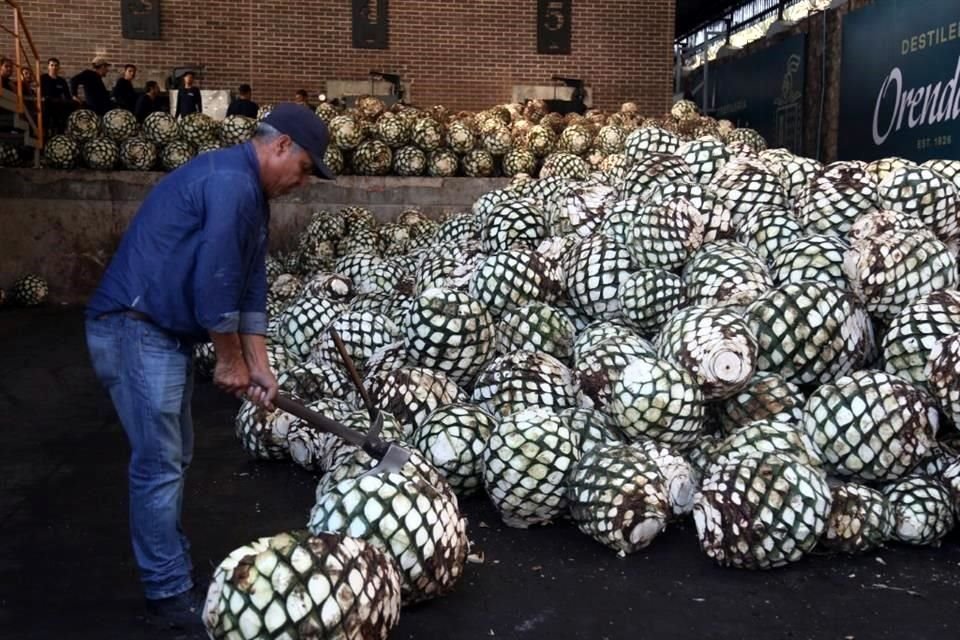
x,y
149,374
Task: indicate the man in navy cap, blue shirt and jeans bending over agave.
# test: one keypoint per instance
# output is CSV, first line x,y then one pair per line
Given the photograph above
x,y
191,267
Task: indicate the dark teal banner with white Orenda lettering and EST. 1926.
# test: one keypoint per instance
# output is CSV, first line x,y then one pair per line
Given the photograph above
x,y
899,93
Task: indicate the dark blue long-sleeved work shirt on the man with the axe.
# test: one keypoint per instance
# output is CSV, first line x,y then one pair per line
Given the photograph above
x,y
193,258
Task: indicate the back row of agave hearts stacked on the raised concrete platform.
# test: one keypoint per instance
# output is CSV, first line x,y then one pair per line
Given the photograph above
x,y
372,140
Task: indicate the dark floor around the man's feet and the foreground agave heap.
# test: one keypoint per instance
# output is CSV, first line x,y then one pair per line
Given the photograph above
x,y
66,569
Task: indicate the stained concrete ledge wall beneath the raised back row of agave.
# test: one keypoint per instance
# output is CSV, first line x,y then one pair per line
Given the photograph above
x,y
65,225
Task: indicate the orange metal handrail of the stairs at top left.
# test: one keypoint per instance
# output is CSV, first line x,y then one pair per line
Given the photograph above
x,y
26,56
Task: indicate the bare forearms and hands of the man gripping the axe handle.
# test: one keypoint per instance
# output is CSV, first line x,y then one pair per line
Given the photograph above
x,y
242,368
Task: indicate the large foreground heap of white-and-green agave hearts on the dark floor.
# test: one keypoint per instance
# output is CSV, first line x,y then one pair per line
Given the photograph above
x,y
709,329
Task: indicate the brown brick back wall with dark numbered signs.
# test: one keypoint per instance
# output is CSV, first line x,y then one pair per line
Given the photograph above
x,y
464,54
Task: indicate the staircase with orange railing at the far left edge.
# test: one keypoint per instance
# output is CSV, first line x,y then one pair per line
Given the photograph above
x,y
18,125
